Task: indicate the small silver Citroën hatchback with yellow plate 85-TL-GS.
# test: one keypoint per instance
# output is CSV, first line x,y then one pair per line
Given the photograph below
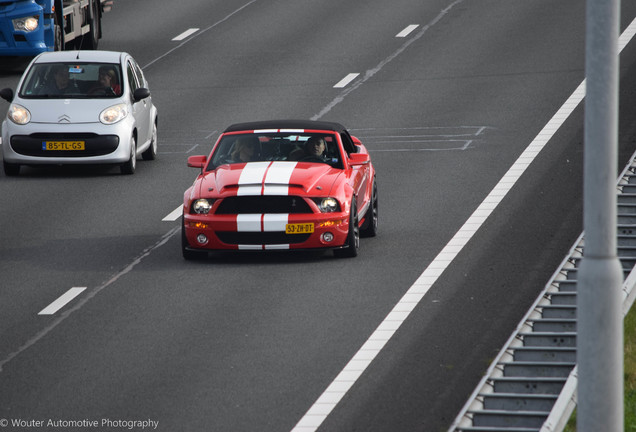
x,y
79,107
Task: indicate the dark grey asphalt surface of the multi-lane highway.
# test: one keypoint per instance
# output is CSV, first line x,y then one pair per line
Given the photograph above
x,y
250,342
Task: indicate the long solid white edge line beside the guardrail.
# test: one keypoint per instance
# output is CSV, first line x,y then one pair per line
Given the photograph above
x,y
332,395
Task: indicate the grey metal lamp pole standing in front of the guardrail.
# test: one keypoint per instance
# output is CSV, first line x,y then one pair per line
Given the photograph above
x,y
600,322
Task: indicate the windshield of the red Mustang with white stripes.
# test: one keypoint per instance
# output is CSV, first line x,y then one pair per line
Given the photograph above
x,y
255,147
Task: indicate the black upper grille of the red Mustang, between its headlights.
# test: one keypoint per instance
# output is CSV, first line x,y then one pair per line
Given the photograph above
x,y
263,204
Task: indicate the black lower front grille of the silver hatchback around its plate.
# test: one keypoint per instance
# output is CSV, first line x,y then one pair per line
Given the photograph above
x,y
95,145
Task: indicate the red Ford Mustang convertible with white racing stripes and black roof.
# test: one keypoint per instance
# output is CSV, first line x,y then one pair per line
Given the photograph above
x,y
286,184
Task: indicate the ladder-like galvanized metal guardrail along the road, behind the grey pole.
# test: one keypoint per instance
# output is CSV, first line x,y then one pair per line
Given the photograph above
x,y
531,384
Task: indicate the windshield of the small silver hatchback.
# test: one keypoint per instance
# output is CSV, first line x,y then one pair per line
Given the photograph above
x,y
72,80
